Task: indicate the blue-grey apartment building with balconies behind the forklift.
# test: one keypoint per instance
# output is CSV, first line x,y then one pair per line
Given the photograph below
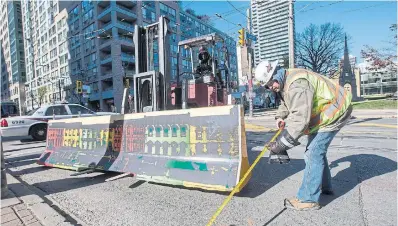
x,y
102,50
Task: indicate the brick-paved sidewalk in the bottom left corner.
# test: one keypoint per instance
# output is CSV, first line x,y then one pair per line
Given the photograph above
x,y
22,206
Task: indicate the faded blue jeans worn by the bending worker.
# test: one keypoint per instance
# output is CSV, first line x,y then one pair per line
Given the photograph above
x,y
316,173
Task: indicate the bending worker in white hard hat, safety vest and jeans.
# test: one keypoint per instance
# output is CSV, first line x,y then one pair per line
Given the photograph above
x,y
313,105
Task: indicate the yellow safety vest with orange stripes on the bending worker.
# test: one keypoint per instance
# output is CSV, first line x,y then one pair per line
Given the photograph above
x,y
330,100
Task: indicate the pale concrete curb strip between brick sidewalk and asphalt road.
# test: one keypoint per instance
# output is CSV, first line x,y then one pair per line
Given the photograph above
x,y
46,214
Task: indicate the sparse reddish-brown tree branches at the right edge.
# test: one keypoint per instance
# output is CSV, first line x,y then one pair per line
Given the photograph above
x,y
384,58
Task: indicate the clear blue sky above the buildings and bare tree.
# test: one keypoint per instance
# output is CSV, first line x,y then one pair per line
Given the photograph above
x,y
366,22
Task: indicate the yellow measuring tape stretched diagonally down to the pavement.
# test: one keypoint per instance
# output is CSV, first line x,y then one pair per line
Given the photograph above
x,y
213,218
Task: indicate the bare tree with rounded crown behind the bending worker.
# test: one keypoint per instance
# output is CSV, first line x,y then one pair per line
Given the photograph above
x,y
319,48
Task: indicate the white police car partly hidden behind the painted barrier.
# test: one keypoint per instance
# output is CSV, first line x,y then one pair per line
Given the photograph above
x,y
35,123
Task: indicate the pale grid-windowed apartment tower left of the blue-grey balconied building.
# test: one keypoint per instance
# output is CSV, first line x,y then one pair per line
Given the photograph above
x,y
46,51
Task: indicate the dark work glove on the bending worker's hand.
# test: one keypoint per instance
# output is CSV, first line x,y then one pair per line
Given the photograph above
x,y
278,149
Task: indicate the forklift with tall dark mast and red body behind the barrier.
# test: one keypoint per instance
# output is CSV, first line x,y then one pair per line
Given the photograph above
x,y
153,91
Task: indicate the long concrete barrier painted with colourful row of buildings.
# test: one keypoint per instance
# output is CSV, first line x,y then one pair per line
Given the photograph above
x,y
202,148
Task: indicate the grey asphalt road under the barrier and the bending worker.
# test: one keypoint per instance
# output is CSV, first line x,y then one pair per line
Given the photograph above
x,y
362,157
